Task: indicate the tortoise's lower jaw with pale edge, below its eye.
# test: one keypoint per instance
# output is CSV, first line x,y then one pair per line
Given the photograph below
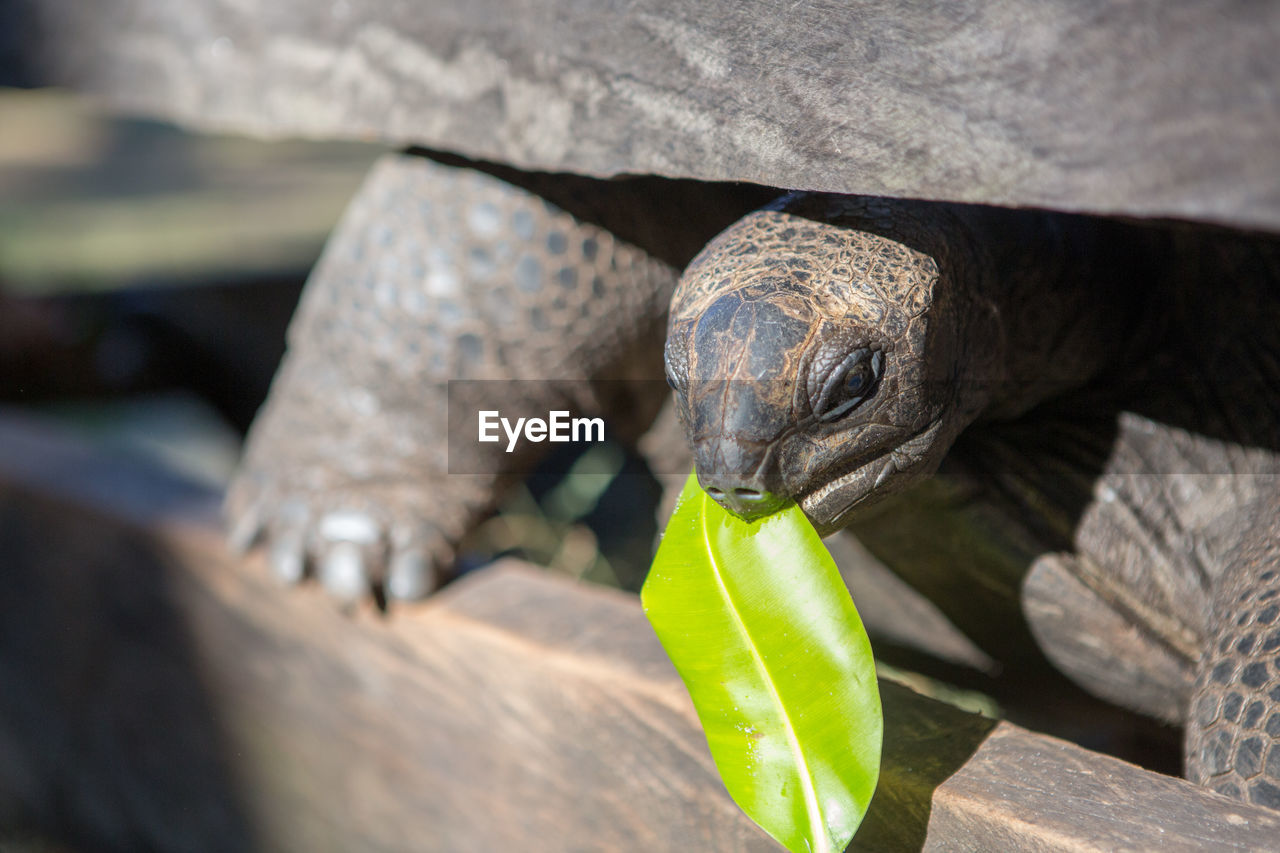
x,y
831,505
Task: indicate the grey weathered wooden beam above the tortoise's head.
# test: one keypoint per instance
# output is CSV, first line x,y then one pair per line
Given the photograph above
x,y
1154,108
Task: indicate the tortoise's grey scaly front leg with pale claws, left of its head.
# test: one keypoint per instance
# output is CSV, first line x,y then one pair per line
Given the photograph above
x,y
436,273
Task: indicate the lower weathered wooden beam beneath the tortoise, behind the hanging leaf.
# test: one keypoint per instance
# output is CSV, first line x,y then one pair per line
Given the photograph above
x,y
159,695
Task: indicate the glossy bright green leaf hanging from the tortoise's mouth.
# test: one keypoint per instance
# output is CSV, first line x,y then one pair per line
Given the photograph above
x,y
764,632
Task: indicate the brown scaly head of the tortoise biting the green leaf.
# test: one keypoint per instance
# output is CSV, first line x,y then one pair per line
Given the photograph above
x,y
811,359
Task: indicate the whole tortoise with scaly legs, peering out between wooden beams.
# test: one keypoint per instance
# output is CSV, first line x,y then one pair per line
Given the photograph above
x,y
829,350
